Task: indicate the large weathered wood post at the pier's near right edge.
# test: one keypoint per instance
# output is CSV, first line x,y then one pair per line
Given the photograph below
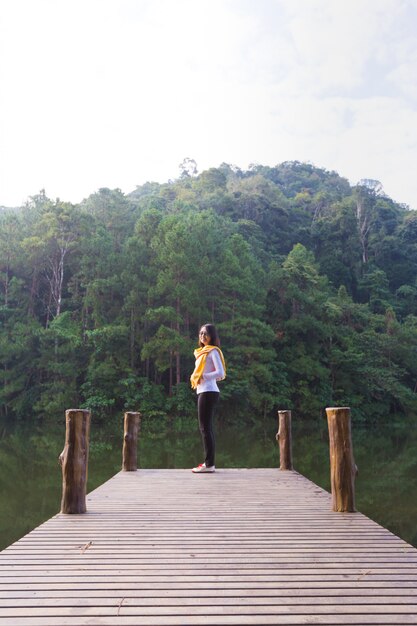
x,y
342,464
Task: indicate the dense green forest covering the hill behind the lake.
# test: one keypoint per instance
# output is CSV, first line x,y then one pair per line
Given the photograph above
x,y
311,281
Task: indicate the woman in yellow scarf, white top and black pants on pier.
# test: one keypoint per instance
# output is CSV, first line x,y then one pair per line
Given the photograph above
x,y
209,368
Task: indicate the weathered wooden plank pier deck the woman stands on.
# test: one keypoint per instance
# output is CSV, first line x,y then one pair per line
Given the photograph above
x,y
241,546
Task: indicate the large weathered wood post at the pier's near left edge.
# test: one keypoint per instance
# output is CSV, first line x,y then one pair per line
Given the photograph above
x,y
74,461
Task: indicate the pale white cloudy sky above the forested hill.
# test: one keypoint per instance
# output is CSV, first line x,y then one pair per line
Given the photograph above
x,y
113,93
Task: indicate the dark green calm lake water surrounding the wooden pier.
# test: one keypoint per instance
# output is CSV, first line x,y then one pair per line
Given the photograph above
x,y
30,476
